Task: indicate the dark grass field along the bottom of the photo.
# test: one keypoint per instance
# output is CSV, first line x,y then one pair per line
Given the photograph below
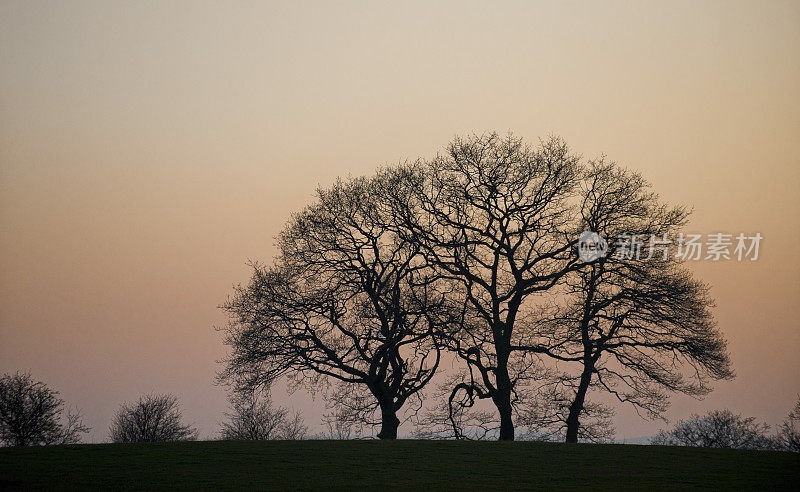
x,y
403,464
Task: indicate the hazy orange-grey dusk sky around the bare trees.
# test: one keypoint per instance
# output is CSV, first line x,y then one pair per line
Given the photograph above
x,y
149,149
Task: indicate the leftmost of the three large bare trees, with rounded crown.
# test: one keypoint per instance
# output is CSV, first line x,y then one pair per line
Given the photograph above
x,y
346,300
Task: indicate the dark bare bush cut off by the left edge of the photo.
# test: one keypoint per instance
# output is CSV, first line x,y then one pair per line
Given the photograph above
x,y
32,414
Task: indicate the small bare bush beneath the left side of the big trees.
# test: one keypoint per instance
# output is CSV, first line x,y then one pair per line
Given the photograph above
x,y
253,419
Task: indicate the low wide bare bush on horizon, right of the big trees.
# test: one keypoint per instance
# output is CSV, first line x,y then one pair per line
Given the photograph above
x,y
718,429
